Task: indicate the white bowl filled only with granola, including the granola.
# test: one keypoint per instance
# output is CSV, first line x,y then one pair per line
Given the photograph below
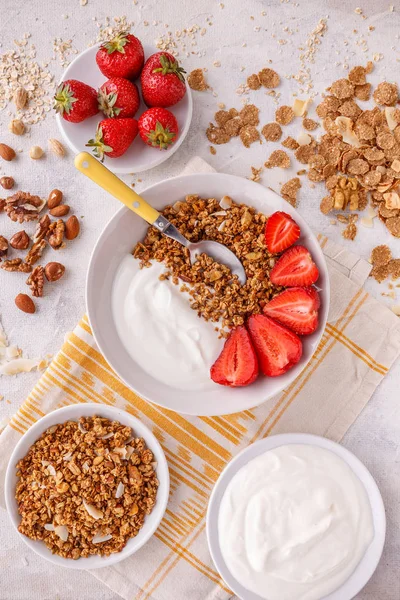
x,y
87,486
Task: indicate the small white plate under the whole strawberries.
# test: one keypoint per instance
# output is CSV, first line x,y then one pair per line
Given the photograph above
x,y
139,157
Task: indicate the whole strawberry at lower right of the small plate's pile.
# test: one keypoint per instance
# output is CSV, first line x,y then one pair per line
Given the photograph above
x,y
158,128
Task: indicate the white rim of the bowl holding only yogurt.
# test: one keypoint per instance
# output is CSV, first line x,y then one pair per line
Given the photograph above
x,y
370,560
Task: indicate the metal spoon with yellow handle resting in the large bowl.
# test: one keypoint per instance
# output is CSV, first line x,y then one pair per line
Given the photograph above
x,y
97,172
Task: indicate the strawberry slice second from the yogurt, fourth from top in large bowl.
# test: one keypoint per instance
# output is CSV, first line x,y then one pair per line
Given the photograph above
x,y
278,349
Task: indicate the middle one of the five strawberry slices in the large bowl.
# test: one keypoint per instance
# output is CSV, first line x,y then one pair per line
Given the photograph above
x,y
297,308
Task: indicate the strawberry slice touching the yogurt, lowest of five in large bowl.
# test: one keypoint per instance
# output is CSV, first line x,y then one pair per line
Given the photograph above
x,y
237,364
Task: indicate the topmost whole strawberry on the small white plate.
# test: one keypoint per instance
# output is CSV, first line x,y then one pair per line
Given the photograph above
x,y
123,56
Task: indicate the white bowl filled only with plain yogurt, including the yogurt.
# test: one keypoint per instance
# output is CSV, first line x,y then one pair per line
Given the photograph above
x,y
296,517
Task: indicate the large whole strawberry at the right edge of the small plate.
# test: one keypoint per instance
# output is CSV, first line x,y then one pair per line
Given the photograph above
x,y
163,83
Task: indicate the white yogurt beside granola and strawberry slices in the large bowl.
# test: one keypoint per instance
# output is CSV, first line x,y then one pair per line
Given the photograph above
x,y
160,331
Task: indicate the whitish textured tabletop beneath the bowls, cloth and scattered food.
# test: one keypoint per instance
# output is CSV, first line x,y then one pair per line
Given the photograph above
x,y
375,436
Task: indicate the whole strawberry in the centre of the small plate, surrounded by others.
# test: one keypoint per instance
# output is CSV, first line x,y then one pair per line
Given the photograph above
x,y
119,97
